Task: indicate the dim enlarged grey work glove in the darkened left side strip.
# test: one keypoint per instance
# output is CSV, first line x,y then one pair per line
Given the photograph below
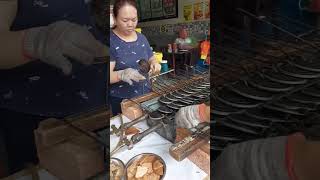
x,y
52,44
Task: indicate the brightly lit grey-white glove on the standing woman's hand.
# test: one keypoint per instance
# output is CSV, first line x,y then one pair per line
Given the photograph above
x,y
129,75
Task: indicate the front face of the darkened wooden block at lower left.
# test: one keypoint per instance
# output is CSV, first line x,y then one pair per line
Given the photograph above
x,y
79,158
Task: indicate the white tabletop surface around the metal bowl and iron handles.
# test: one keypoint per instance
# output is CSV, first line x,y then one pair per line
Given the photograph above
x,y
154,143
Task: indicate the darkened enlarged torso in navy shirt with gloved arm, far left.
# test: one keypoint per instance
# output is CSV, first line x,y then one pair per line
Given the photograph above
x,y
46,71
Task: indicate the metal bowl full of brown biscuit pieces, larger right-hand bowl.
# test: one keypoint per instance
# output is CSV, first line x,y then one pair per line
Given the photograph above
x,y
145,166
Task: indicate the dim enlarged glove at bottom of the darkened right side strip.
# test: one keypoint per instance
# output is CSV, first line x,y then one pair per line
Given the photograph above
x,y
253,160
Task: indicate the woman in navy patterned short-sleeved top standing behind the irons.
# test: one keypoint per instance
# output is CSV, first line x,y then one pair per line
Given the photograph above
x,y
127,48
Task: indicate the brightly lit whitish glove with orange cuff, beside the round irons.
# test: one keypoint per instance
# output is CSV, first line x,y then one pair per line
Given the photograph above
x,y
188,117
